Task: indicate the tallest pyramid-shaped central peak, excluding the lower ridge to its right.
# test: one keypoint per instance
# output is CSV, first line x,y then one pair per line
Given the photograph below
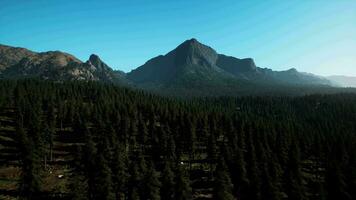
x,y
190,60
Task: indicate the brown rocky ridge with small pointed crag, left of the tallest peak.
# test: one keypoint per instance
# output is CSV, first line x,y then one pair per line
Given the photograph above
x,y
53,65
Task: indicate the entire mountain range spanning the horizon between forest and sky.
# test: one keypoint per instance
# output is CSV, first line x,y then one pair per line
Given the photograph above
x,y
191,68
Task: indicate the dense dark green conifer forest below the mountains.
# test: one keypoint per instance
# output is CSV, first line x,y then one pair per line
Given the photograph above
x,y
96,141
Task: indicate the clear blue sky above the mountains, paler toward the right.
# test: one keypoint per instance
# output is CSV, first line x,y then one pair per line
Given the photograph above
x,y
316,36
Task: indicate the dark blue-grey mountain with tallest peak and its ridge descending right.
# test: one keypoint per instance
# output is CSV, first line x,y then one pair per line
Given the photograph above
x,y
193,66
